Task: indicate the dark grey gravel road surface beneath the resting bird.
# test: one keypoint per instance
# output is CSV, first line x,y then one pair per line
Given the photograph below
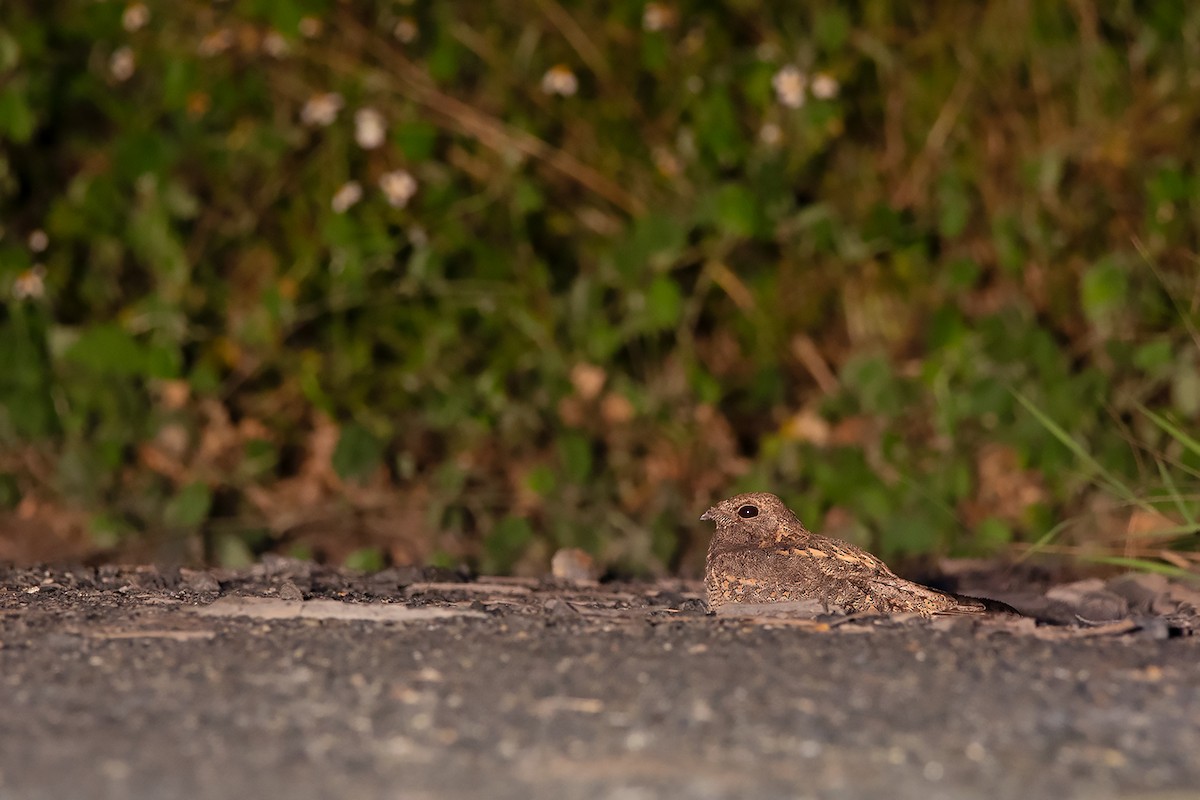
x,y
296,682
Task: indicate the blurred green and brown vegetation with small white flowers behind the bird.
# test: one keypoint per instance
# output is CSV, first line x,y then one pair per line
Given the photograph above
x,y
407,282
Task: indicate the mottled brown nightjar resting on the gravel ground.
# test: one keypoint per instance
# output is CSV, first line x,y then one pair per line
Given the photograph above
x,y
763,554
